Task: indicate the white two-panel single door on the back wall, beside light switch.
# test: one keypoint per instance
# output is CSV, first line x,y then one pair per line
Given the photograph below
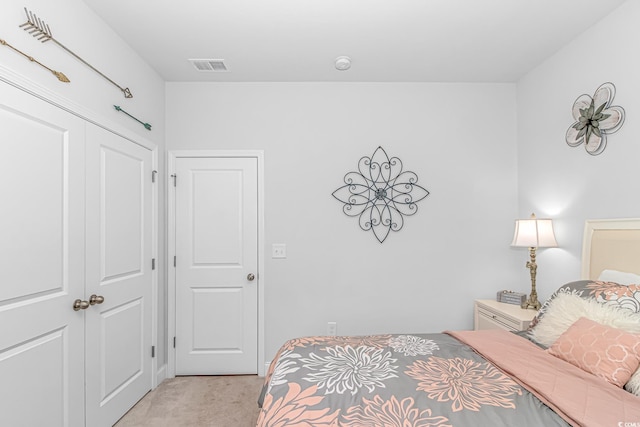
x,y
216,235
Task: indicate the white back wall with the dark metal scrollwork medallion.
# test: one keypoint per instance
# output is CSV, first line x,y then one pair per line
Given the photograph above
x,y
458,138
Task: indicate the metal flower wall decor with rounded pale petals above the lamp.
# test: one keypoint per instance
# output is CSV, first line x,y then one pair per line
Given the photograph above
x,y
595,118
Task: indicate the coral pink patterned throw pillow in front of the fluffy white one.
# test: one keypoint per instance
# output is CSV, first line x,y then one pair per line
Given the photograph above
x,y
608,353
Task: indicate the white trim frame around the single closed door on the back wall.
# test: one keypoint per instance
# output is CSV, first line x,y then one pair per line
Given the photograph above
x,y
172,155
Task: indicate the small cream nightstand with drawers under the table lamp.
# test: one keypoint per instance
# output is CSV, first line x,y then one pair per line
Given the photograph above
x,y
490,314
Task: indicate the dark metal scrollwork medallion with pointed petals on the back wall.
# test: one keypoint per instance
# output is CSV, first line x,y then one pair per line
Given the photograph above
x,y
380,194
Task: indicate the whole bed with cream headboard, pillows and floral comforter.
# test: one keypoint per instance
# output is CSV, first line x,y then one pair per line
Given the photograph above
x,y
578,364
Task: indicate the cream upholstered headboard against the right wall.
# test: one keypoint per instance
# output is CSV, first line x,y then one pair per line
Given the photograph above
x,y
612,244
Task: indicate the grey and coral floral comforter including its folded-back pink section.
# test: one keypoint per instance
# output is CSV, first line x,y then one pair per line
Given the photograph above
x,y
470,378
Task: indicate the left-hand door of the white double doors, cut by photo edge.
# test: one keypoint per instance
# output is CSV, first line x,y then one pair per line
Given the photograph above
x,y
41,263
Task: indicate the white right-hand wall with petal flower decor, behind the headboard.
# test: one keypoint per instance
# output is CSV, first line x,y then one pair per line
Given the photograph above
x,y
566,183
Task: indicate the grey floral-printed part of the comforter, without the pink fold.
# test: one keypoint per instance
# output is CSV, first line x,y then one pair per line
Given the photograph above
x,y
393,380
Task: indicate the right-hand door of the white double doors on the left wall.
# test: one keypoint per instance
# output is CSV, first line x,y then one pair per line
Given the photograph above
x,y
118,245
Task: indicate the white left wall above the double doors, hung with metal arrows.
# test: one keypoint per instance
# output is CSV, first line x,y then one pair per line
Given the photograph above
x,y
74,25
